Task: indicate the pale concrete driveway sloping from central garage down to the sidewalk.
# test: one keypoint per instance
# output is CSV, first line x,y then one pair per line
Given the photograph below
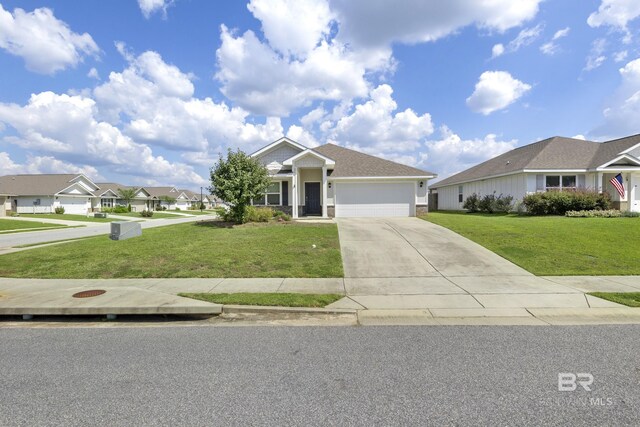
x,y
411,247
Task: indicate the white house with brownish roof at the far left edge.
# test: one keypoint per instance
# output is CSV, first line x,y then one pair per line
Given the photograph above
x,y
43,193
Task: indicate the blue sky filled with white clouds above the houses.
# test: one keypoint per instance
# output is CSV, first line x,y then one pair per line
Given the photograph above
x,y
151,91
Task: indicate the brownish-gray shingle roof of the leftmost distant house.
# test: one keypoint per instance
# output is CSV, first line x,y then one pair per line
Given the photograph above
x,y
35,185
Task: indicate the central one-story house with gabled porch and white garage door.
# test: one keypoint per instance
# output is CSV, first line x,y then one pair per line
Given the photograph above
x,y
334,181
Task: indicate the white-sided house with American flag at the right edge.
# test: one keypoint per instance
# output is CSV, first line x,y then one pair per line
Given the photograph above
x,y
552,164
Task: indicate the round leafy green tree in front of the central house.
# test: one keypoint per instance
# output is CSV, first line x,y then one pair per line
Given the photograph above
x,y
238,179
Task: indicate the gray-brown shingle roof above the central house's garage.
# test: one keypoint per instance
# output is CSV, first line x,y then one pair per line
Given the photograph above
x,y
351,163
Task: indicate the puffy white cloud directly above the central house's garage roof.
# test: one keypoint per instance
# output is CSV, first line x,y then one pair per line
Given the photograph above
x,y
376,128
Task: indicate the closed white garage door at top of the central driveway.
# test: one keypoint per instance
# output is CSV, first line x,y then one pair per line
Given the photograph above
x,y
375,199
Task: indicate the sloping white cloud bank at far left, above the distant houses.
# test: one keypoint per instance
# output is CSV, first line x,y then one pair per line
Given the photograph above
x,y
65,126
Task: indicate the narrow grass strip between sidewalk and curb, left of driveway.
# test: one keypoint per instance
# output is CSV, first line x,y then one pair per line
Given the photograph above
x,y
269,299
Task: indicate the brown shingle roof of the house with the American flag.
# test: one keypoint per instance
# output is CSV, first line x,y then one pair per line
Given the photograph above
x,y
553,153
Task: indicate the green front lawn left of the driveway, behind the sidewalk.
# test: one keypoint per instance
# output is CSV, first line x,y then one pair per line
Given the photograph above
x,y
199,249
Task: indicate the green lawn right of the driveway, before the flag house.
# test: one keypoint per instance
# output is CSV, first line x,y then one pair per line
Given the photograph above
x,y
553,245
